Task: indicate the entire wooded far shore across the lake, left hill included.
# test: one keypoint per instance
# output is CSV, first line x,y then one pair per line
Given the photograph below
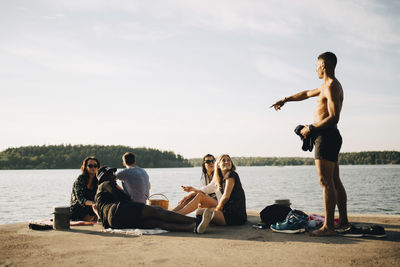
x,y
71,157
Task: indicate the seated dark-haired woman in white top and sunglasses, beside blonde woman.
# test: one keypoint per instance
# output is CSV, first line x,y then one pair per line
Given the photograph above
x,y
207,200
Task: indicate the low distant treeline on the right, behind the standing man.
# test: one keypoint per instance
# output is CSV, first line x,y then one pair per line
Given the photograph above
x,y
354,158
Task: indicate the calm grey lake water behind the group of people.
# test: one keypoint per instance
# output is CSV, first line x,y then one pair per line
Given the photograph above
x,y
31,194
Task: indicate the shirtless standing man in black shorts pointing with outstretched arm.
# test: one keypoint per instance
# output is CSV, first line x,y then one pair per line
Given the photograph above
x,y
327,140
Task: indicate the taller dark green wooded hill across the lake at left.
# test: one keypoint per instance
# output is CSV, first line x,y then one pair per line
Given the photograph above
x,y
71,157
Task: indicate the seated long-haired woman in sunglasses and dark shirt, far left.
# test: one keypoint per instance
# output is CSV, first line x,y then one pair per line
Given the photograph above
x,y
83,191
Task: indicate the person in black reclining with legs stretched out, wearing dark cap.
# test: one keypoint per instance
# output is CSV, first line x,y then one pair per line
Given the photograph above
x,y
116,210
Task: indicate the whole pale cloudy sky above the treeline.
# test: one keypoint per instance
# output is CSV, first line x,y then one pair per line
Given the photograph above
x,y
194,77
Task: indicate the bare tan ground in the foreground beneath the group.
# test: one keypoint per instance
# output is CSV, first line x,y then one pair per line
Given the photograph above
x,y
219,246
